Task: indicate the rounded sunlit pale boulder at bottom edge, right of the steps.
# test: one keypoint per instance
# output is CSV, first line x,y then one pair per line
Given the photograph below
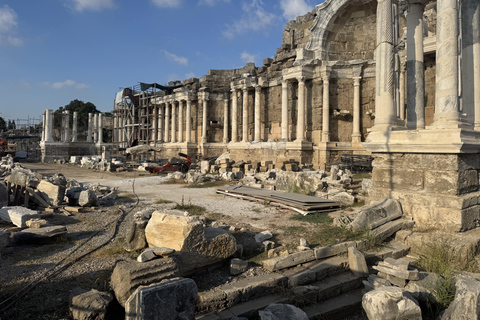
x,y
390,303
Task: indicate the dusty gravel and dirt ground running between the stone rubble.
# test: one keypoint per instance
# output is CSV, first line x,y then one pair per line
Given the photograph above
x,y
36,280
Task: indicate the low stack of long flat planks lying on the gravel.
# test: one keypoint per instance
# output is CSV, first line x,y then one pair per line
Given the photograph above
x,y
298,202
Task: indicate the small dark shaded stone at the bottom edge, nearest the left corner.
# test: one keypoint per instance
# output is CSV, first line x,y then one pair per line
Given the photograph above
x,y
88,305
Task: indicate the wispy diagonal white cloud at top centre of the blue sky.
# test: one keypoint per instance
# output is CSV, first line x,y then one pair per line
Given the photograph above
x,y
254,18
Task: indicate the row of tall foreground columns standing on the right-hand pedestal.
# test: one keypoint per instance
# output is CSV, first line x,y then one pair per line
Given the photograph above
x,y
448,89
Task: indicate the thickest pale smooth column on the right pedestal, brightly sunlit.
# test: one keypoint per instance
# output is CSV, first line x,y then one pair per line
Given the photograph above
x,y
446,85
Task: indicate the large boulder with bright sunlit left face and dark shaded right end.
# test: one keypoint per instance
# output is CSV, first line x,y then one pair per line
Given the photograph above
x,y
199,246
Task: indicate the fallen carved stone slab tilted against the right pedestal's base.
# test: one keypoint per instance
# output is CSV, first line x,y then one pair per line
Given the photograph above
x,y
372,216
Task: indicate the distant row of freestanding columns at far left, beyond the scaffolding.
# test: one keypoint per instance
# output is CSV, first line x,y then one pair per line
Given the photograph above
x,y
47,132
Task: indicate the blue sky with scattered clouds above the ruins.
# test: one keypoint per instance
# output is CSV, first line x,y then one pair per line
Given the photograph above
x,y
56,51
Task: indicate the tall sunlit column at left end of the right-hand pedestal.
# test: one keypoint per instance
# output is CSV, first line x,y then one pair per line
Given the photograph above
x,y
385,111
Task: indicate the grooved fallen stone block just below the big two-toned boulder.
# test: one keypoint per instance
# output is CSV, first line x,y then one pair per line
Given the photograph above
x,y
127,276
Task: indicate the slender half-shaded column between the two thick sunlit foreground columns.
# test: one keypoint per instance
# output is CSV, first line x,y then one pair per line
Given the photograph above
x,y
415,72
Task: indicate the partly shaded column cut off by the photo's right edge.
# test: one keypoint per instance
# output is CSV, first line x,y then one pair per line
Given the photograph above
x,y
471,60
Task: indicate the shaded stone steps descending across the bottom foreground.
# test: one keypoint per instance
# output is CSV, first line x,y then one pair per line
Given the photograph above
x,y
323,288
